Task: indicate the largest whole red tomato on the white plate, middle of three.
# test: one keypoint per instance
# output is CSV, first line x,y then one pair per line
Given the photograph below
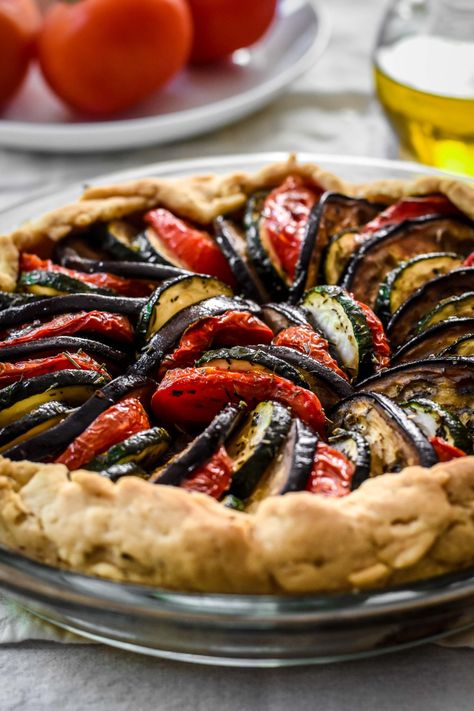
x,y
103,56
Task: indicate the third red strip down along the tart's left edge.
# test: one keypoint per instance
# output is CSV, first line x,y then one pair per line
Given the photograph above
x,y
24,369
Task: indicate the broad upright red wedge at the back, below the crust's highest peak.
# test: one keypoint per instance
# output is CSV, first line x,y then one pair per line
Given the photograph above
x,y
285,214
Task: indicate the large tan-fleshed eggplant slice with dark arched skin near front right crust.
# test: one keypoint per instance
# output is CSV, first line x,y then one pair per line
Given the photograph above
x,y
395,441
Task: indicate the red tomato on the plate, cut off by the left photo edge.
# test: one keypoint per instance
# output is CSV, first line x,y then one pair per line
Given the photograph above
x,y
19,23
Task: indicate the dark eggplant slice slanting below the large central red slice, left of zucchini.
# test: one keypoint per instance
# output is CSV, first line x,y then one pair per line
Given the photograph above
x,y
201,449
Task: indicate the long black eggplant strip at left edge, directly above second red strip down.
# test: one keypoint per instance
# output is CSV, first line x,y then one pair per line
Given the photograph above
x,y
56,305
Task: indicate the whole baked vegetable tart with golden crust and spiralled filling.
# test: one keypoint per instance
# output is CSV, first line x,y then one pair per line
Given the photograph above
x,y
250,383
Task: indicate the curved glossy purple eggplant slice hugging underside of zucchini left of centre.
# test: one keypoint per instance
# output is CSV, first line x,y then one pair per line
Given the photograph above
x,y
169,335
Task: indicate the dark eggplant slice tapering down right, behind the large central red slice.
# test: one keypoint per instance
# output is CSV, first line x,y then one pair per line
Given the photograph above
x,y
328,385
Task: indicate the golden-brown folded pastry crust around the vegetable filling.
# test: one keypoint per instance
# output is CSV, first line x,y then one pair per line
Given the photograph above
x,y
393,529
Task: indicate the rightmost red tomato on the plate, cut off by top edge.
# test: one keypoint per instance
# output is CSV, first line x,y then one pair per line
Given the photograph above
x,y
222,26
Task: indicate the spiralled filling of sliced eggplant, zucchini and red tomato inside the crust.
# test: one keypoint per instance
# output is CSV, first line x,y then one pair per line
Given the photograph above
x,y
307,342
